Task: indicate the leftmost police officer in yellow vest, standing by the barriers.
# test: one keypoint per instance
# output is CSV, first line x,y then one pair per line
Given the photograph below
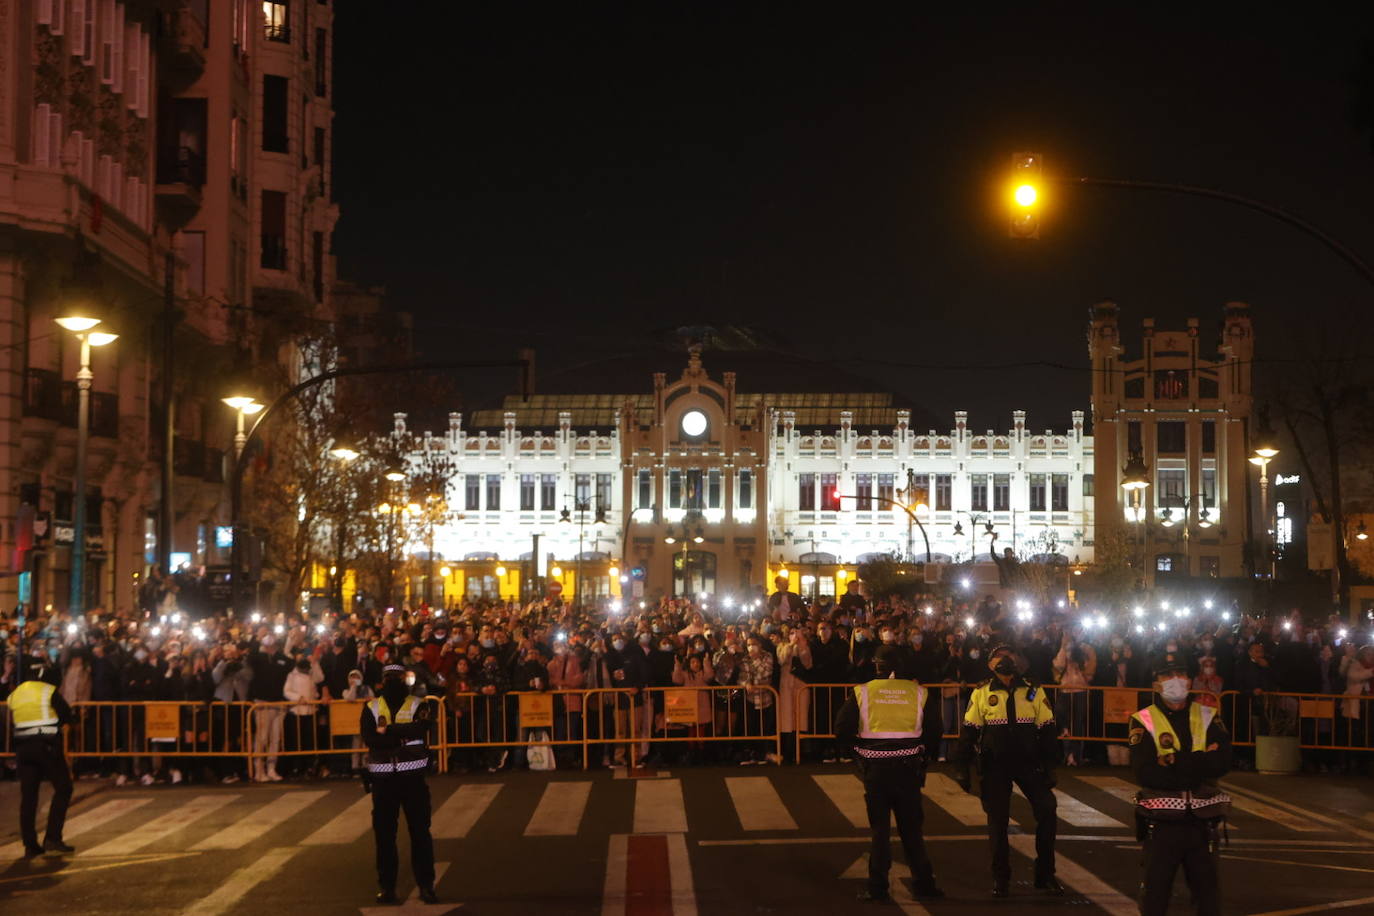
x,y
38,715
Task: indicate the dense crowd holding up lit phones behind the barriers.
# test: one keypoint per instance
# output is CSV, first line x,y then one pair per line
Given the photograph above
x,y
482,656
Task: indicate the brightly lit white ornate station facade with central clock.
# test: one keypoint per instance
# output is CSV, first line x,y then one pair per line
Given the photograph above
x,y
697,487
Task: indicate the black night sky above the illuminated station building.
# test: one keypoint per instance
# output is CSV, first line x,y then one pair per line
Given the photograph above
x,y
832,179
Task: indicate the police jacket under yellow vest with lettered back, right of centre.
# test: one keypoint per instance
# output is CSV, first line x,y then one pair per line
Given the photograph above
x,y
890,718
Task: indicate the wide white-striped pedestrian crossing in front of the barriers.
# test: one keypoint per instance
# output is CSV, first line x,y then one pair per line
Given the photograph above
x,y
710,805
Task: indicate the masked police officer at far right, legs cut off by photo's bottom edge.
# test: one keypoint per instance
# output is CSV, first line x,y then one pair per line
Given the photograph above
x,y
1178,751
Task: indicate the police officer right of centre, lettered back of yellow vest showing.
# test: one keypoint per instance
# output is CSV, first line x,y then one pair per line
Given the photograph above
x,y
891,724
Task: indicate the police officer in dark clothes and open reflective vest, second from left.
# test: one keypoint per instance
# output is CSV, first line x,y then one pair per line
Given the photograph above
x,y
395,729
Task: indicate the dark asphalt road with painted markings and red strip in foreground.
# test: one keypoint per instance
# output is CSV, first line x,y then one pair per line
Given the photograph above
x,y
711,841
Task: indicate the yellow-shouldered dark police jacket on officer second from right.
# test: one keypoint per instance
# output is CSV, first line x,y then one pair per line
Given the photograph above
x,y
1009,723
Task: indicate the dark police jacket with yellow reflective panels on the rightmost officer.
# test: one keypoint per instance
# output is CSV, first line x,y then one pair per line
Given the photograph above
x,y
1175,771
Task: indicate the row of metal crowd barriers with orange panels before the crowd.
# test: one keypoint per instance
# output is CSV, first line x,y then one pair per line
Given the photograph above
x,y
624,723
